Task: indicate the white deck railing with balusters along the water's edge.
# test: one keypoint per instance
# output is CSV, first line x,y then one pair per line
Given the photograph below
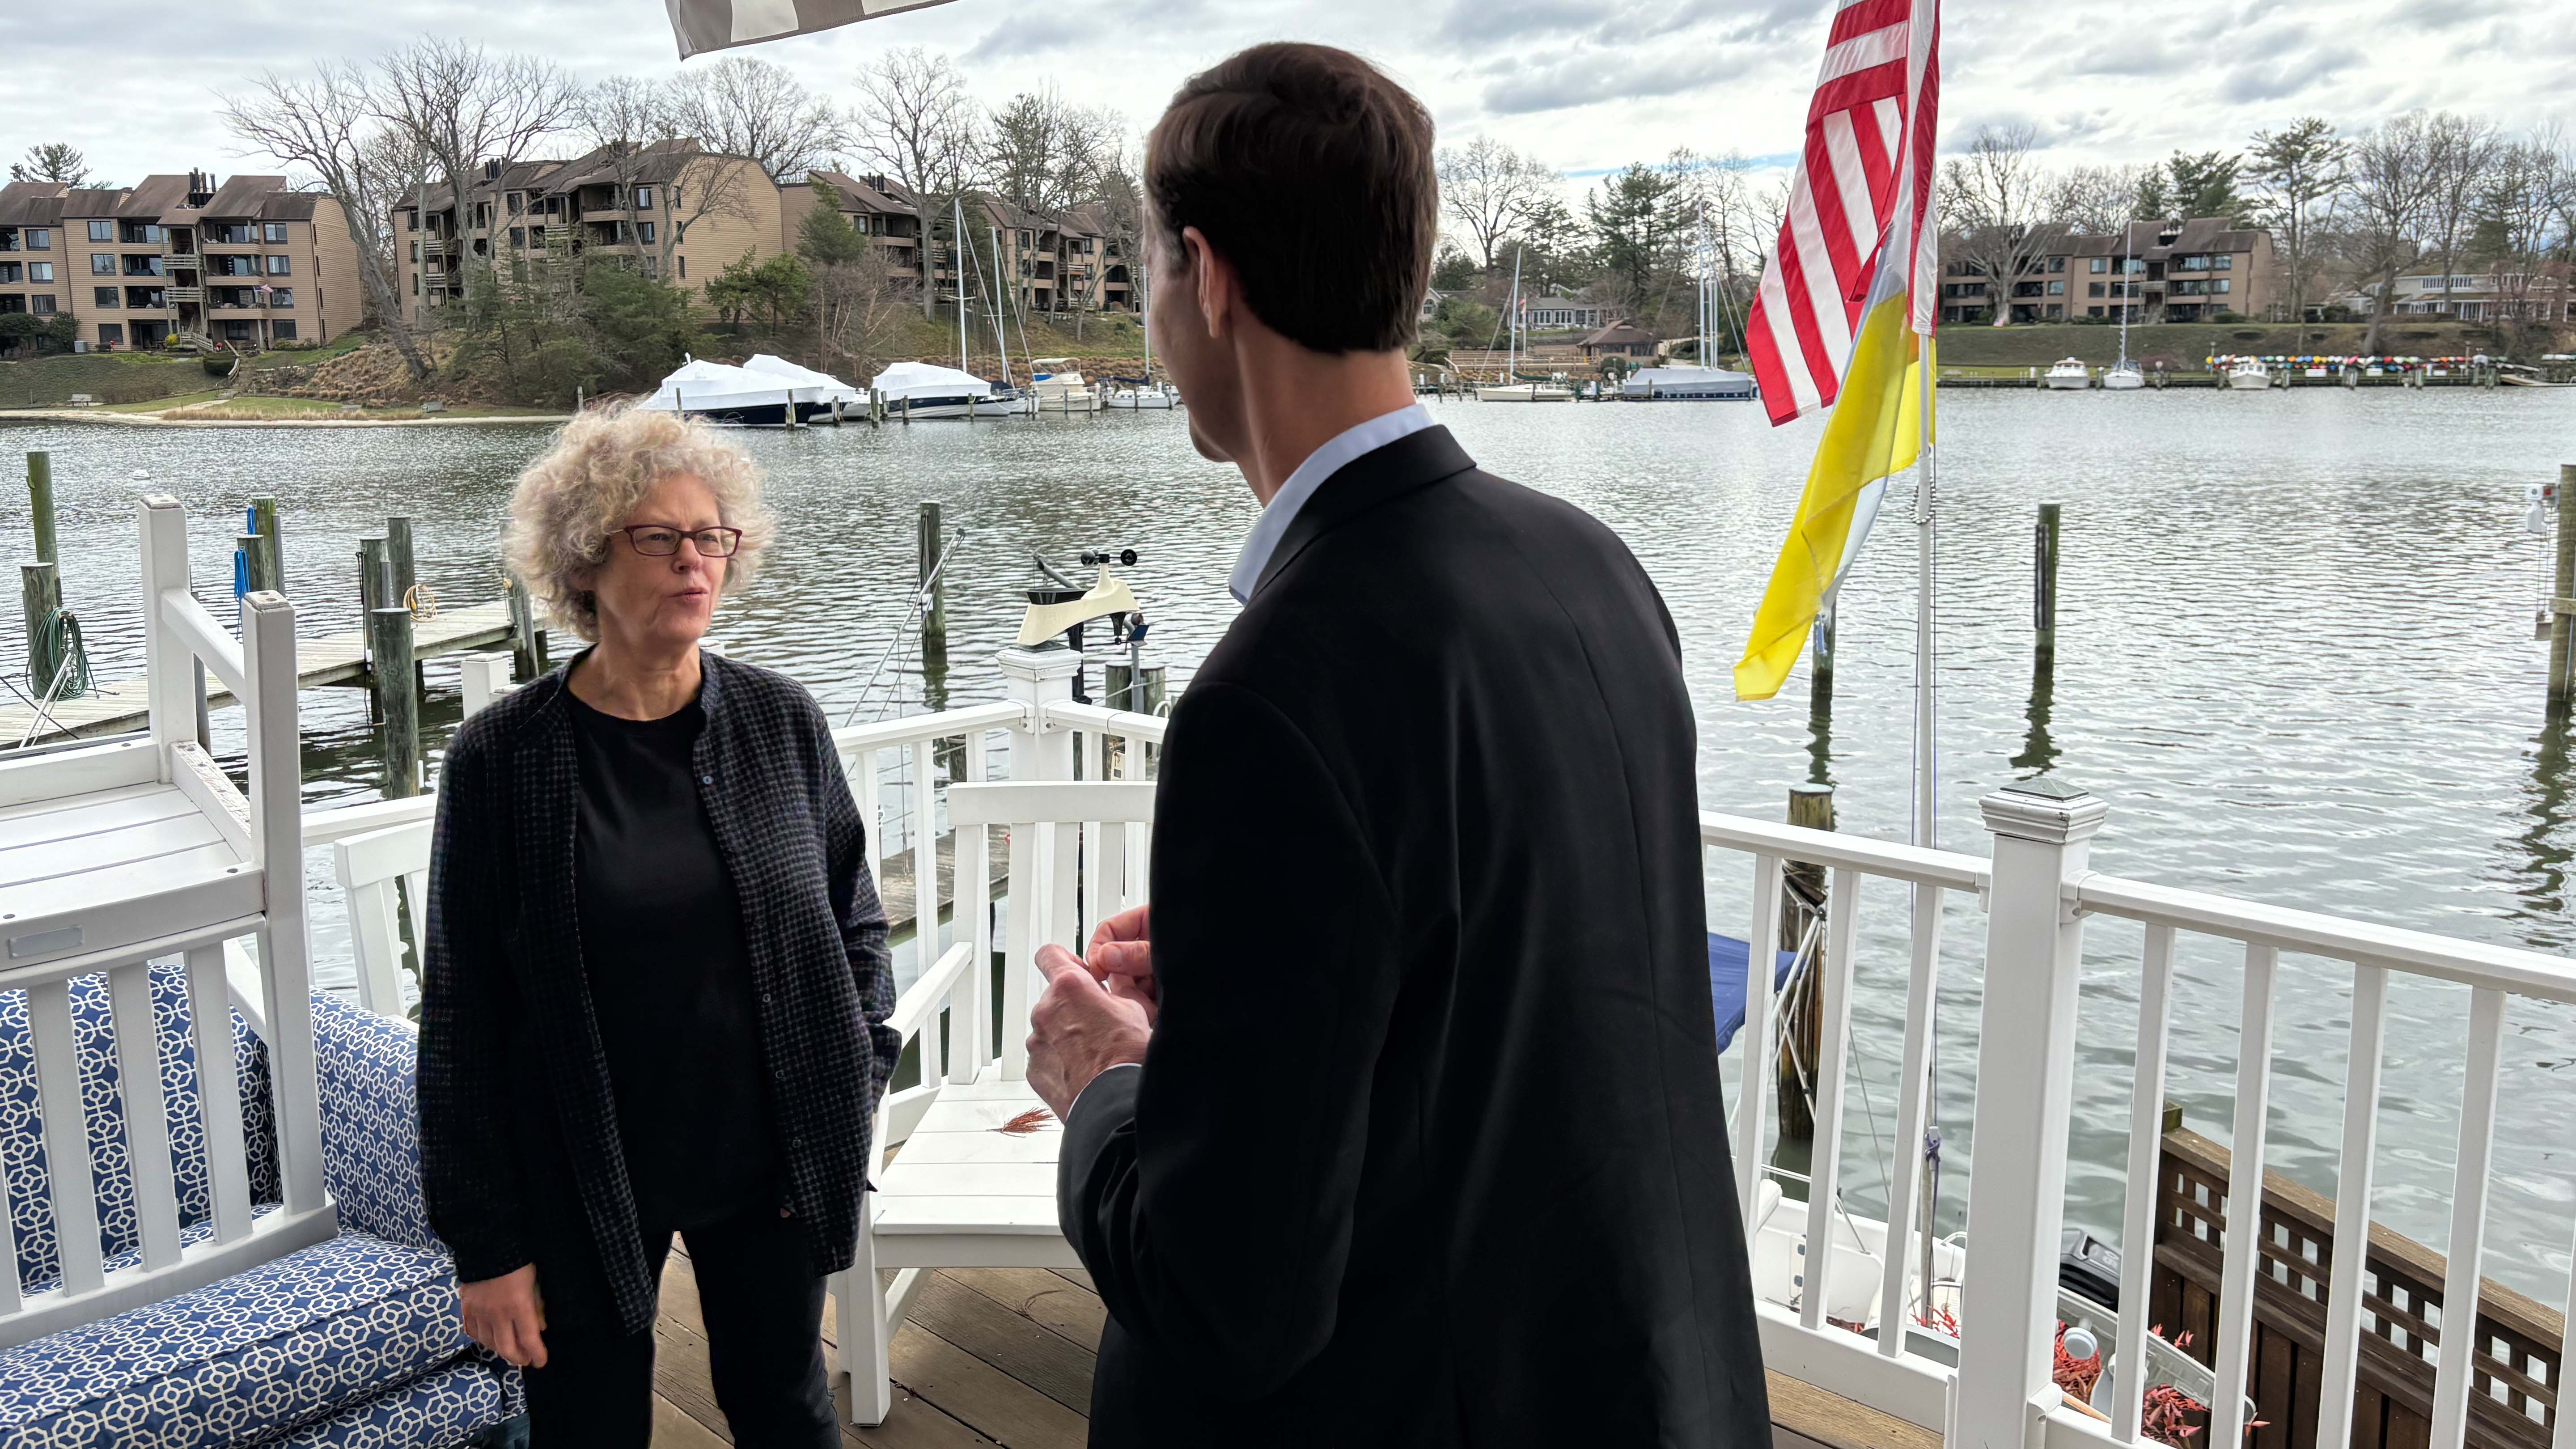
x,y
2039,896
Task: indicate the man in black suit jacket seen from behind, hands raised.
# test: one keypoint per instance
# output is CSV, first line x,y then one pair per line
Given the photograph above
x,y
1400,1123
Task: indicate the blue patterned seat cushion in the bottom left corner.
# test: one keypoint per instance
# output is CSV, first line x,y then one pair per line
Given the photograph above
x,y
259,1355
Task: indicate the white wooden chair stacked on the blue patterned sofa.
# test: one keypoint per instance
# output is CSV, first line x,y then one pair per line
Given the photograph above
x,y
125,852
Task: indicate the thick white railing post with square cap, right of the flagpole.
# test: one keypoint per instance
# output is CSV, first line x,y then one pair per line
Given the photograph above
x,y
2023,1097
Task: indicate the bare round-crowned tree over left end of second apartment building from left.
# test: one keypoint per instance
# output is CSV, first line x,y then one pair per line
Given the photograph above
x,y
468,107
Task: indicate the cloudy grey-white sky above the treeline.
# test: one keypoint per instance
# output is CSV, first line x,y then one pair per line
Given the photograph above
x,y
1580,84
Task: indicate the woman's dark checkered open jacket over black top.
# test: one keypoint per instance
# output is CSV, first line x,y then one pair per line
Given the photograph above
x,y
519,1143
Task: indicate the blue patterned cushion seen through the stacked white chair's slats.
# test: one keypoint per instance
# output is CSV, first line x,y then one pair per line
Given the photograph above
x,y
22,1143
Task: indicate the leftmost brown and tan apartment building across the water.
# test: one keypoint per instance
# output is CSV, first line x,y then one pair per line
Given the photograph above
x,y
243,264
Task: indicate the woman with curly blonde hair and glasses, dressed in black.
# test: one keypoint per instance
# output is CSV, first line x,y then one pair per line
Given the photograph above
x,y
656,981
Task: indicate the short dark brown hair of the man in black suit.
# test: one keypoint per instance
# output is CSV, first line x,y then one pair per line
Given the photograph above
x,y
1312,174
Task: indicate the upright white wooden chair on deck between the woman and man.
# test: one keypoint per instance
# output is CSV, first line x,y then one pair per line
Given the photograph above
x,y
975,1185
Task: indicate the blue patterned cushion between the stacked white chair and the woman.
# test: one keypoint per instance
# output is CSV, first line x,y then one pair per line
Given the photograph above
x,y
372,1120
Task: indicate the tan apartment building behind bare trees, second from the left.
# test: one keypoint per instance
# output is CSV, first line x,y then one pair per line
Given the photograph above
x,y
671,208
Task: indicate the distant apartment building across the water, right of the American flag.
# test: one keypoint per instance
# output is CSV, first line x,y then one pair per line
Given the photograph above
x,y
2160,272
